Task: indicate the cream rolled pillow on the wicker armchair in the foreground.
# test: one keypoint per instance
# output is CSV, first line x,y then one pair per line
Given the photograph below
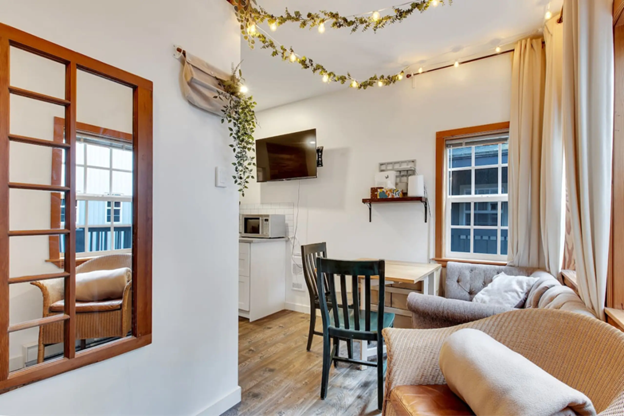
x,y
496,381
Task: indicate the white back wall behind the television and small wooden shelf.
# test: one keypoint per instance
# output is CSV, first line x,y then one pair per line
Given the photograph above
x,y
360,129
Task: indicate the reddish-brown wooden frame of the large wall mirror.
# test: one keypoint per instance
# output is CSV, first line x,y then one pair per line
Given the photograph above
x,y
142,209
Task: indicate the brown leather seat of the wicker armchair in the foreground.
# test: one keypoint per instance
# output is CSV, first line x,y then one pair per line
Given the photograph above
x,y
427,401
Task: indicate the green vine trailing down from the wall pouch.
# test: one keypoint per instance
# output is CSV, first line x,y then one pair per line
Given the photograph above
x,y
239,113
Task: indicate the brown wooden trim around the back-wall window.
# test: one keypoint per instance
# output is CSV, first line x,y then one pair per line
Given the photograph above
x,y
441,138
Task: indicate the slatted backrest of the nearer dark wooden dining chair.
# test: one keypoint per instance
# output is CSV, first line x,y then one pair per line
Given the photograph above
x,y
333,274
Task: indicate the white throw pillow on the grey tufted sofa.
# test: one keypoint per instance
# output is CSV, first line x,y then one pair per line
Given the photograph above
x,y
509,291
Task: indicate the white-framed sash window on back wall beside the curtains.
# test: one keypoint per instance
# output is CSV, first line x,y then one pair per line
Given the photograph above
x,y
477,198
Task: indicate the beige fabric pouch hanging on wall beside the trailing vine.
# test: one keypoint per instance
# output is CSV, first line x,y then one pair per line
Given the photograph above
x,y
200,84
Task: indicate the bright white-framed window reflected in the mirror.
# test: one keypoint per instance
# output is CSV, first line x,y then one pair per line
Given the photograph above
x,y
103,196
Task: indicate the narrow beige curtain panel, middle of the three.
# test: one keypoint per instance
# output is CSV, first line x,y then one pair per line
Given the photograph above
x,y
552,192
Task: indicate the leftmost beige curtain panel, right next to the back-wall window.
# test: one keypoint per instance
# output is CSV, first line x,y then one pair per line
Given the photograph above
x,y
525,154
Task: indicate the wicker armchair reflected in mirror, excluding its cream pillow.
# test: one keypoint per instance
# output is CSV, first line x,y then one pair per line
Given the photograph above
x,y
99,319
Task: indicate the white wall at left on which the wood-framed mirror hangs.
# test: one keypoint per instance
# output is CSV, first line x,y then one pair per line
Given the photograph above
x,y
195,239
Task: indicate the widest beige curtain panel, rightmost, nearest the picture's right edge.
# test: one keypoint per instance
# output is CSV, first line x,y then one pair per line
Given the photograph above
x,y
588,134
